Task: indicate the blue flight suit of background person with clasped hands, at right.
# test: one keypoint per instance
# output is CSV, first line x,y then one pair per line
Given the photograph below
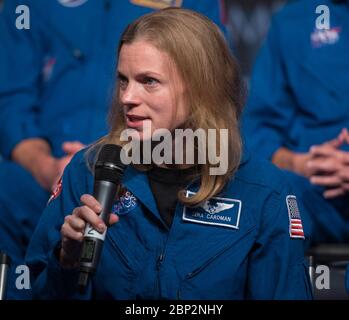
x,y
300,97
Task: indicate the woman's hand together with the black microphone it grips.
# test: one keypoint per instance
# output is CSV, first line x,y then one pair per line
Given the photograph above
x,y
83,231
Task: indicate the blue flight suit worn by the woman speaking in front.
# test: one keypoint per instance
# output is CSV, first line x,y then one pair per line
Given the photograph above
x,y
245,250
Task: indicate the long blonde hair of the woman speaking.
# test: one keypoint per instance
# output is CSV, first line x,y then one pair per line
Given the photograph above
x,y
214,91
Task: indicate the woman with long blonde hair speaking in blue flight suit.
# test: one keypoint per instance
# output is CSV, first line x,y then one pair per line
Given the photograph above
x,y
177,230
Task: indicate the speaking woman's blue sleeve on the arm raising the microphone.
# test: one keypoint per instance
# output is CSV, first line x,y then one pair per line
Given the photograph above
x,y
49,280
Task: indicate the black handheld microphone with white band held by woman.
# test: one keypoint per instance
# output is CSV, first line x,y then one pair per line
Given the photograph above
x,y
108,173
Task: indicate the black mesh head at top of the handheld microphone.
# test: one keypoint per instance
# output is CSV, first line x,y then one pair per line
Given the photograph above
x,y
109,166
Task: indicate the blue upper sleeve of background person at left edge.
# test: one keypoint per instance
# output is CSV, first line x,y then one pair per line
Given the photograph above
x,y
21,57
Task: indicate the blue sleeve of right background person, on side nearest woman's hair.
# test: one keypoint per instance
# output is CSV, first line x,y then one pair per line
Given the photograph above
x,y
271,105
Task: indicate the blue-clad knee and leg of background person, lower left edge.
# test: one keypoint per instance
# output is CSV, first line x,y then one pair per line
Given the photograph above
x,y
21,199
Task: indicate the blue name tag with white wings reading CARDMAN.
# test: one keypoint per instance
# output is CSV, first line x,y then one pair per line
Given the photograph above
x,y
217,211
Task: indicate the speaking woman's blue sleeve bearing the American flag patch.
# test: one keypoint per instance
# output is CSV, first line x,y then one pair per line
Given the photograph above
x,y
277,268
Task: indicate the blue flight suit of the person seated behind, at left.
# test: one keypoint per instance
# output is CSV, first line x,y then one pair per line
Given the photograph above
x,y
56,83
